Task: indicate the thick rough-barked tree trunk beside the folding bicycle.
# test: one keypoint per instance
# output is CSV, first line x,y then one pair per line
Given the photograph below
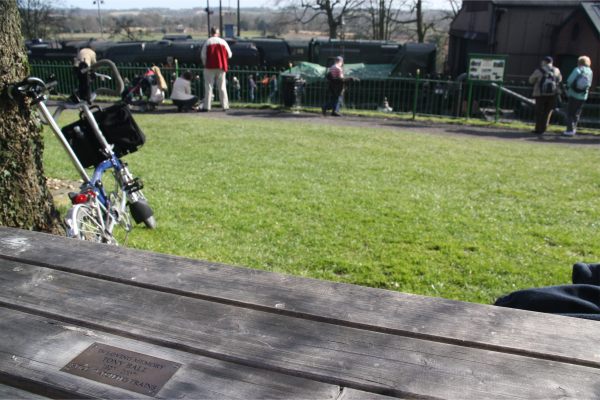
x,y
25,201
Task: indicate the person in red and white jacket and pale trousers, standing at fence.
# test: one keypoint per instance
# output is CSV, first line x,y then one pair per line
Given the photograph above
x,y
215,57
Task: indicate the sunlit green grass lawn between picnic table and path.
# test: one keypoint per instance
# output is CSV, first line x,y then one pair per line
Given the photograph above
x,y
456,217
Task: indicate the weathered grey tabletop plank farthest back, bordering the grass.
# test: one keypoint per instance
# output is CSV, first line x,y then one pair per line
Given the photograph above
x,y
475,325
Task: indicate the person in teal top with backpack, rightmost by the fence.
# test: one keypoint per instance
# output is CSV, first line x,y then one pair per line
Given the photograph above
x,y
578,89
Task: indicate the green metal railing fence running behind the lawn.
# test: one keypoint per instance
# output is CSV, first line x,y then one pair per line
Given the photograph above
x,y
411,94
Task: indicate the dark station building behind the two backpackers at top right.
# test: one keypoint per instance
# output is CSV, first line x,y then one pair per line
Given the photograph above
x,y
526,31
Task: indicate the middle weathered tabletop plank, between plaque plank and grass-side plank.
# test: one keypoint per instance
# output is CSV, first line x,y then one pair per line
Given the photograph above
x,y
344,356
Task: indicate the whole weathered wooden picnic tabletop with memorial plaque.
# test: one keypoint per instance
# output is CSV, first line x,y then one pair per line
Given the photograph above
x,y
81,320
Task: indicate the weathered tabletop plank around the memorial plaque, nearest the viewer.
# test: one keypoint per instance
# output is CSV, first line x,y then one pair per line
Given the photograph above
x,y
36,348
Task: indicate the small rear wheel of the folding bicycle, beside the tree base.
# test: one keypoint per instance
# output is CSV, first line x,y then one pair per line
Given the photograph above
x,y
82,223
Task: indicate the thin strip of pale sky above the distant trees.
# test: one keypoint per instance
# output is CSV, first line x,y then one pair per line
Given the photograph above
x,y
176,4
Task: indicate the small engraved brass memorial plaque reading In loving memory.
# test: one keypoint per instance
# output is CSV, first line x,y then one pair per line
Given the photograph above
x,y
122,368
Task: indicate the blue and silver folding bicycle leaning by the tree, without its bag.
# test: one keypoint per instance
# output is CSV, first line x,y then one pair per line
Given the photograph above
x,y
95,211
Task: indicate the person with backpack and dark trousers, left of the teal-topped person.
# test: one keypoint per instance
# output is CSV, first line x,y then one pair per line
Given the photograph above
x,y
546,86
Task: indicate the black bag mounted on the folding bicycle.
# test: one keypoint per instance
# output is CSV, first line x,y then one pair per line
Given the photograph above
x,y
118,127
